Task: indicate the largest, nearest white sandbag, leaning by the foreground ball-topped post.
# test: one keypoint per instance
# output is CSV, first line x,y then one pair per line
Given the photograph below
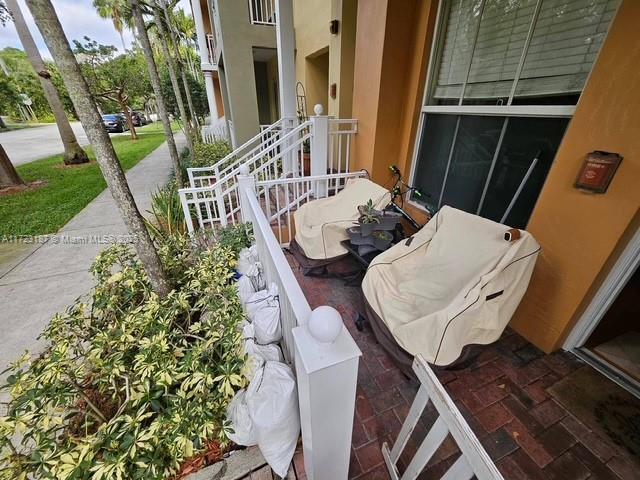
x,y
272,400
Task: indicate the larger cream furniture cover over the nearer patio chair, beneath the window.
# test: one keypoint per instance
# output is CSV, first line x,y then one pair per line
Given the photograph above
x,y
458,282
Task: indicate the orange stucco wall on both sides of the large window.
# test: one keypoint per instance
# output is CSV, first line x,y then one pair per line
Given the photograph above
x,y
579,232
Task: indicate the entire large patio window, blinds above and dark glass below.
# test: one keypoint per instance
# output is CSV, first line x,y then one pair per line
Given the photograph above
x,y
506,77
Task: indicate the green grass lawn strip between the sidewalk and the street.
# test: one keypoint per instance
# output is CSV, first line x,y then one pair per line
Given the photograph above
x,y
68,189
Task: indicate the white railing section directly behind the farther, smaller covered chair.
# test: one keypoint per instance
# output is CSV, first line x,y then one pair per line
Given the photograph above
x,y
282,197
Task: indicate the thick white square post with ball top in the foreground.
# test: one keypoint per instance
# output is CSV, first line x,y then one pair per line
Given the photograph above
x,y
326,369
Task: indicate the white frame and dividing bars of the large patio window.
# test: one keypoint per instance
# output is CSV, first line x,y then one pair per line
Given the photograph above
x,y
507,111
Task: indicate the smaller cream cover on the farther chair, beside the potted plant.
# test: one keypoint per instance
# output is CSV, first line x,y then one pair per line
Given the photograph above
x,y
321,224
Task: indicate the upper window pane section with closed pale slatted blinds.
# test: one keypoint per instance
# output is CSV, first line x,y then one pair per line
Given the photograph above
x,y
495,51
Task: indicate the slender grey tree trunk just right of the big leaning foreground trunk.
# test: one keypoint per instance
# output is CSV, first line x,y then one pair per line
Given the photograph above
x,y
143,37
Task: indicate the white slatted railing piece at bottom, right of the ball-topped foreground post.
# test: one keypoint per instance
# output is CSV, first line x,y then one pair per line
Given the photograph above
x,y
473,460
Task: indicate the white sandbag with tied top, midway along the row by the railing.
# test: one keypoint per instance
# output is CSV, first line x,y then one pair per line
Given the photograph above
x,y
263,309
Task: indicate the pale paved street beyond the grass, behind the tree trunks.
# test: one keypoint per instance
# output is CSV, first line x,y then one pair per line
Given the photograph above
x,y
29,144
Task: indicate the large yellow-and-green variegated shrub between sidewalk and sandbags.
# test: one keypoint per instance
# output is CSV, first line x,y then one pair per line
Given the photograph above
x,y
131,385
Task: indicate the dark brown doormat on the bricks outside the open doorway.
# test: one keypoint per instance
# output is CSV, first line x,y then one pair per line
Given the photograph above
x,y
604,406
